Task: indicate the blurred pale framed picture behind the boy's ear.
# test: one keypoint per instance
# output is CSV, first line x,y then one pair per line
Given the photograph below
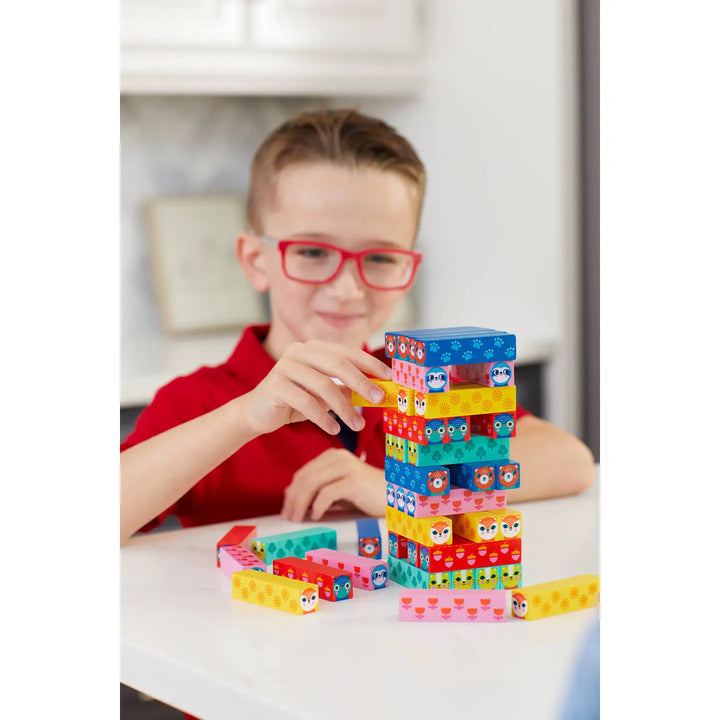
x,y
200,285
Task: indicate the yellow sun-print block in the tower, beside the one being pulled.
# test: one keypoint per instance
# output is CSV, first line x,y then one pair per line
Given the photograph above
x,y
465,399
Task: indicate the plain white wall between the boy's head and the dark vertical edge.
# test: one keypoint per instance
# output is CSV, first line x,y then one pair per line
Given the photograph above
x,y
497,127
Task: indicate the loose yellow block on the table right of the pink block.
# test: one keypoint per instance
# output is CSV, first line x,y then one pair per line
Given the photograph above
x,y
553,598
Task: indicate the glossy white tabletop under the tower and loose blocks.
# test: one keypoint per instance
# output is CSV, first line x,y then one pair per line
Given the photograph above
x,y
188,643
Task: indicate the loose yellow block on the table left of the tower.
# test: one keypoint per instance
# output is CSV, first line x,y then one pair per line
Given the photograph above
x,y
274,591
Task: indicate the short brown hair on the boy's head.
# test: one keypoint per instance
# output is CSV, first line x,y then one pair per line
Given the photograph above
x,y
344,137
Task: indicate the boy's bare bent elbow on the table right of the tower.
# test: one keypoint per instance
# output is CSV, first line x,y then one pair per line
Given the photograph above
x,y
552,461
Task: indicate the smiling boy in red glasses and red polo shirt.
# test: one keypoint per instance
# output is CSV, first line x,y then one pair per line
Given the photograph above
x,y
255,435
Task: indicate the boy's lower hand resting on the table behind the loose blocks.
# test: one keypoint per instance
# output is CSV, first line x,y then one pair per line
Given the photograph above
x,y
334,476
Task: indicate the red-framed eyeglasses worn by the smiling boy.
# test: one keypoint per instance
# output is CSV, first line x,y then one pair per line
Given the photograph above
x,y
317,263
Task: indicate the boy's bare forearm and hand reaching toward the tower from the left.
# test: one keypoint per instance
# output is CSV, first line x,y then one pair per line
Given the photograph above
x,y
159,471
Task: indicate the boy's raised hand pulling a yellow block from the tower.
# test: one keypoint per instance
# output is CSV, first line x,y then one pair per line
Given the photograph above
x,y
299,387
